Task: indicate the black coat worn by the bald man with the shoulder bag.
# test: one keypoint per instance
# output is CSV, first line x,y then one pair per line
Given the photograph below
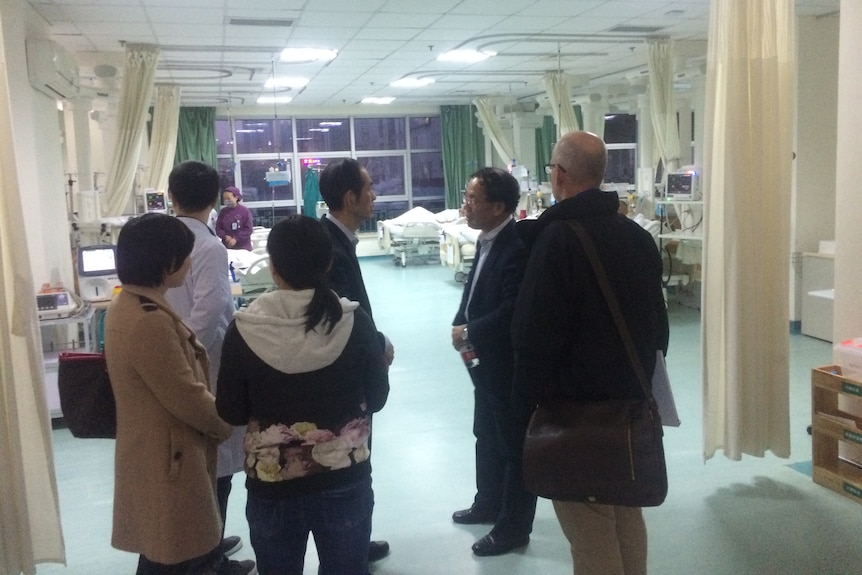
x,y
567,344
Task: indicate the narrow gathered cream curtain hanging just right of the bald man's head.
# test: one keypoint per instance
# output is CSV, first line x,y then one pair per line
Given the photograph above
x,y
663,103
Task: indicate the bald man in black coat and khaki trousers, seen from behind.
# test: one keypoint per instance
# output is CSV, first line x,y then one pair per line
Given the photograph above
x,y
567,346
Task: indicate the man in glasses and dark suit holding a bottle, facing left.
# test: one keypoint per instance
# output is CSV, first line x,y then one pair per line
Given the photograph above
x,y
483,320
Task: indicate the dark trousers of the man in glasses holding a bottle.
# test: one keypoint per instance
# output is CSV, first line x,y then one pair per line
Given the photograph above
x,y
499,473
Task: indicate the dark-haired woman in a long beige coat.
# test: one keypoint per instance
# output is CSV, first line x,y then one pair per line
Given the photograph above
x,y
165,505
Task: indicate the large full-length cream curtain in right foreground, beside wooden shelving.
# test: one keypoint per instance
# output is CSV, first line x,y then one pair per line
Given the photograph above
x,y
747,164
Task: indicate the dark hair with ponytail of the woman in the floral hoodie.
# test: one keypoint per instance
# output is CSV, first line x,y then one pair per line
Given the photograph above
x,y
300,251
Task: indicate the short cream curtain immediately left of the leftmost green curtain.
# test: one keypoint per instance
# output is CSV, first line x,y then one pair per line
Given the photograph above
x,y
163,142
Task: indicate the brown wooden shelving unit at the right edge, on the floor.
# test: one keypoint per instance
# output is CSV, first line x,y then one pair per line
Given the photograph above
x,y
836,431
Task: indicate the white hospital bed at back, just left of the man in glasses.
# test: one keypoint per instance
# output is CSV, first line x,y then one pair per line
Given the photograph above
x,y
412,236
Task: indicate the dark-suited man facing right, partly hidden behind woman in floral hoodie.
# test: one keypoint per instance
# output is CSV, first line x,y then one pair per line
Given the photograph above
x,y
346,188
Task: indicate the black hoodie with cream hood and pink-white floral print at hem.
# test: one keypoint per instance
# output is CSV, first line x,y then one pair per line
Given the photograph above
x,y
306,396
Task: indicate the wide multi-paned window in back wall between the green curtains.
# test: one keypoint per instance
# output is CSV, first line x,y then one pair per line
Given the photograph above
x,y
402,154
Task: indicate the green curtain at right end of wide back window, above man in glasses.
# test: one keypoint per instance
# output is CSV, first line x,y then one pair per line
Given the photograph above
x,y
463,149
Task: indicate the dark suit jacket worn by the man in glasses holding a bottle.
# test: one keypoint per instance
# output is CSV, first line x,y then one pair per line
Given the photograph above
x,y
491,309
